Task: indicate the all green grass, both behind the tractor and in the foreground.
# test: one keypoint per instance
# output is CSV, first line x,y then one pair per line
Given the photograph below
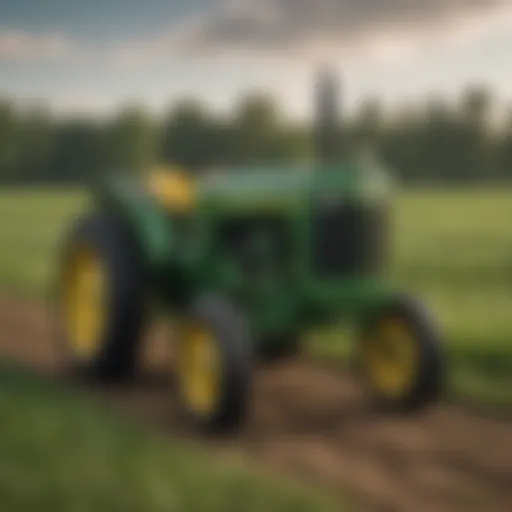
x,y
454,249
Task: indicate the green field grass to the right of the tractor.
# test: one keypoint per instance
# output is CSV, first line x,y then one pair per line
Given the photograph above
x,y
455,249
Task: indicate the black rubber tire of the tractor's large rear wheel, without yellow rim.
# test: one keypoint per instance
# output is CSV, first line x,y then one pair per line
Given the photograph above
x,y
117,355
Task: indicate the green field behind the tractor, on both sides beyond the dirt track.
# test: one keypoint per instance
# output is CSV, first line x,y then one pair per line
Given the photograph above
x,y
453,248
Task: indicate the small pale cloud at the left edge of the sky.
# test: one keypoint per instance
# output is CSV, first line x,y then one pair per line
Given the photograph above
x,y
21,45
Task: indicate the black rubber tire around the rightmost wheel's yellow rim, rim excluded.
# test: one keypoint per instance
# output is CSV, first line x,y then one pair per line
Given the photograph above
x,y
428,382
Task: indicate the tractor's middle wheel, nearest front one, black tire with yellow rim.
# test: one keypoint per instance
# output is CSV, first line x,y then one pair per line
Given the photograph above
x,y
214,365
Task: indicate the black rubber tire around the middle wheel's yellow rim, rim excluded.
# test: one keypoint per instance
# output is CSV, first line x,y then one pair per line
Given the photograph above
x,y
236,359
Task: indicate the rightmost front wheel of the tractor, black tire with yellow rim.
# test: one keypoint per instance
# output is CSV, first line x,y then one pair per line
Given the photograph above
x,y
399,357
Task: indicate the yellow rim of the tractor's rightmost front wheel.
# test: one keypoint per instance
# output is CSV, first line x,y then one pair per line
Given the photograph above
x,y
391,358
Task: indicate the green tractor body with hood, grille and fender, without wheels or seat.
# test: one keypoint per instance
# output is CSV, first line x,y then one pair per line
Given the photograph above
x,y
293,248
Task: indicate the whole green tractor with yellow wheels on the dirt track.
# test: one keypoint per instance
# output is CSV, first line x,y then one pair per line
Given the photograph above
x,y
246,260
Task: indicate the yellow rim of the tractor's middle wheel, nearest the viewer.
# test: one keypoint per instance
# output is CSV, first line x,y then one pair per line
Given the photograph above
x,y
200,369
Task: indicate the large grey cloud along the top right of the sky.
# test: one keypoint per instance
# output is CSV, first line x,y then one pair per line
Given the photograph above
x,y
278,24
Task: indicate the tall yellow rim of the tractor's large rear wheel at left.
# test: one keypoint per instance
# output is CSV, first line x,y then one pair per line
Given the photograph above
x,y
84,302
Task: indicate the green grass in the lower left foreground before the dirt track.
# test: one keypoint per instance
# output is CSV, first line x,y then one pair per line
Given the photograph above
x,y
60,452
